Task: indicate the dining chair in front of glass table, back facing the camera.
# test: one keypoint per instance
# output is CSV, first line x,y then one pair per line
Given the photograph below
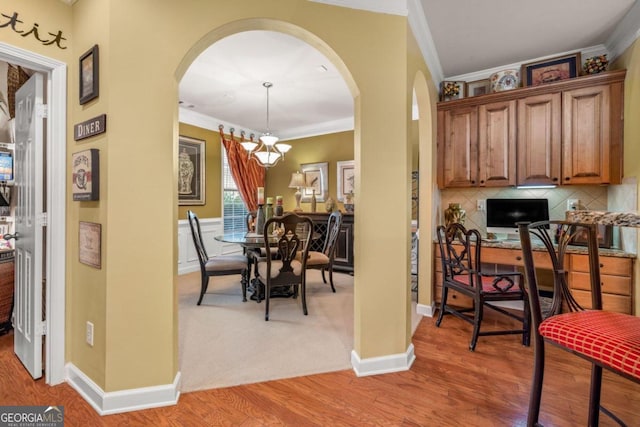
x,y
287,265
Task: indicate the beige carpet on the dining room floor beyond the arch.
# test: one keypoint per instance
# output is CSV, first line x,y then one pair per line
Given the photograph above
x,y
226,342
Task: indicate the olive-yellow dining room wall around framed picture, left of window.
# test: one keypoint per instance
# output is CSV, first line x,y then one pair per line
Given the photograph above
x,y
213,173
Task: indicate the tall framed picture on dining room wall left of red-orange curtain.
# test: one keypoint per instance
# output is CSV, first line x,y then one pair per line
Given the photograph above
x,y
191,173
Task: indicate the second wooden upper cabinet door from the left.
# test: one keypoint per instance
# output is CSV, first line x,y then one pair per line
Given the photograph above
x,y
497,144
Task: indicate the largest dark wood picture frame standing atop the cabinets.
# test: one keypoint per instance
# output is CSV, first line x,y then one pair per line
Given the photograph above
x,y
551,70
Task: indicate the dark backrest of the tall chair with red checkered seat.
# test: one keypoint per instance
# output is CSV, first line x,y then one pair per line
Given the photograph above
x,y
565,233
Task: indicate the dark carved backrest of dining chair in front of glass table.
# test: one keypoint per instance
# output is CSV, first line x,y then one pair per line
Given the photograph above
x,y
292,244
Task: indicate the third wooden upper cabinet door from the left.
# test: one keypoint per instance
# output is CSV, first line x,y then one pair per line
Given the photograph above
x,y
539,140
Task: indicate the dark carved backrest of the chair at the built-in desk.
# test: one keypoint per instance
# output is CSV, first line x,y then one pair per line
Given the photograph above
x,y
460,253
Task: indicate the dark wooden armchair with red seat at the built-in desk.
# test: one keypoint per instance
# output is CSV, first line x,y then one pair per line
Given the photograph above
x,y
460,250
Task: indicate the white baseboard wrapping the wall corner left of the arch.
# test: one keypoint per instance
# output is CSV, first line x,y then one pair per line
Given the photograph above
x,y
106,403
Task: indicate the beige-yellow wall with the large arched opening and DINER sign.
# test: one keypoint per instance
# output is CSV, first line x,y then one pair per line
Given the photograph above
x,y
145,48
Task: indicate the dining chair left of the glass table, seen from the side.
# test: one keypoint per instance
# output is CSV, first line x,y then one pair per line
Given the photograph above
x,y
222,265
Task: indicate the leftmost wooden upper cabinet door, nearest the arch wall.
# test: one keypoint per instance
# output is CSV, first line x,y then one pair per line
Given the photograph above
x,y
458,147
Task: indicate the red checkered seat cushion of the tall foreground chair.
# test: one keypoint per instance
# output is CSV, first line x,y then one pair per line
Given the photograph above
x,y
613,339
